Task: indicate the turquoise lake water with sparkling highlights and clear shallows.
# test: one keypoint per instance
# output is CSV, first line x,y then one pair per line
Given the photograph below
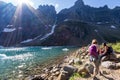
x,y
16,63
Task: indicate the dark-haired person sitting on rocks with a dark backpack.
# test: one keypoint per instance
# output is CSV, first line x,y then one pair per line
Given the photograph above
x,y
106,51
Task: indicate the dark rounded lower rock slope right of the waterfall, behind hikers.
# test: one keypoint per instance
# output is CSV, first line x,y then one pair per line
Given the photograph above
x,y
79,33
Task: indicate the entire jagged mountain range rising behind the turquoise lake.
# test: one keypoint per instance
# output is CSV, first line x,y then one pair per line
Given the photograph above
x,y
76,25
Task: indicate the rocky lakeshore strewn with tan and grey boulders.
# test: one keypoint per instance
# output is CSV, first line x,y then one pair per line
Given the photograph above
x,y
77,62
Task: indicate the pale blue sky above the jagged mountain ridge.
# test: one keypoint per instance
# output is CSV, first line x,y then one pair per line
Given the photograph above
x,y
61,4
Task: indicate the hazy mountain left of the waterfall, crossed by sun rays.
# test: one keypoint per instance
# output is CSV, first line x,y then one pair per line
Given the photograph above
x,y
24,22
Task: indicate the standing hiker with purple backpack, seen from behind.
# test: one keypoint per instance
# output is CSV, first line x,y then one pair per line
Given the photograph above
x,y
94,56
